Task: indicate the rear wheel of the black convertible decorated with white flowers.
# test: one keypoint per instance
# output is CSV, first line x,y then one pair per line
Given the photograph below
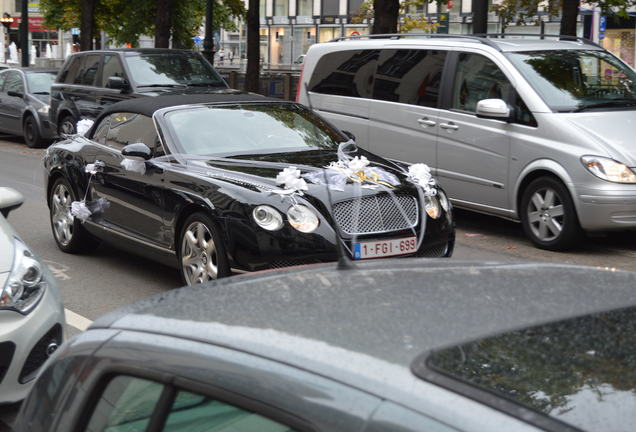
x,y
68,232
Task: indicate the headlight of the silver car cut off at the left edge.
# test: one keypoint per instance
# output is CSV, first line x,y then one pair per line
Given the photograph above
x,y
24,287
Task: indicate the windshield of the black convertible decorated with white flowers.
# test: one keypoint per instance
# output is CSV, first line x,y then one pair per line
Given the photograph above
x,y
248,129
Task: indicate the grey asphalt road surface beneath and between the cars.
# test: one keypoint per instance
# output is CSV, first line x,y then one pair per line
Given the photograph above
x,y
107,278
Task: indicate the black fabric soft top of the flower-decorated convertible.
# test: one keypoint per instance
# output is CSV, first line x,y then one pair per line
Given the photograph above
x,y
149,105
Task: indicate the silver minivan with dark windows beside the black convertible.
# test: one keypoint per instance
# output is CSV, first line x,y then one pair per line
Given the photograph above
x,y
533,130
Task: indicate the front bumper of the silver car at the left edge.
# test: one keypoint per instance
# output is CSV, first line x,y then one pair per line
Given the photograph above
x,y
24,340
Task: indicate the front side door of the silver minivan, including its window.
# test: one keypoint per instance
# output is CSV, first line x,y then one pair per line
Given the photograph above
x,y
472,152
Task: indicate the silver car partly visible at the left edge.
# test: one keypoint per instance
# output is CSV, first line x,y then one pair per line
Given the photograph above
x,y
31,311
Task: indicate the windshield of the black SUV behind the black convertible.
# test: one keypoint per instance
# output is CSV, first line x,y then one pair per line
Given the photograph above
x,y
172,69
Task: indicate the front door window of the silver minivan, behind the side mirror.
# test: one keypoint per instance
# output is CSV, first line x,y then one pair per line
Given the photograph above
x,y
478,78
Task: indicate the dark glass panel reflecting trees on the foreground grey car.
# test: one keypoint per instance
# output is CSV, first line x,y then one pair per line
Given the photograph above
x,y
581,371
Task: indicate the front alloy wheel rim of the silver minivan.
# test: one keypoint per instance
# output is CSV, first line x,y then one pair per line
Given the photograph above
x,y
546,214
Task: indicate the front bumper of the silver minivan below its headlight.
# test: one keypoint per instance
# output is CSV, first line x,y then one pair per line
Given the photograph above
x,y
607,209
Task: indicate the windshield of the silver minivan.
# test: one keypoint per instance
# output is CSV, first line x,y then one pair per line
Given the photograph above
x,y
577,80
